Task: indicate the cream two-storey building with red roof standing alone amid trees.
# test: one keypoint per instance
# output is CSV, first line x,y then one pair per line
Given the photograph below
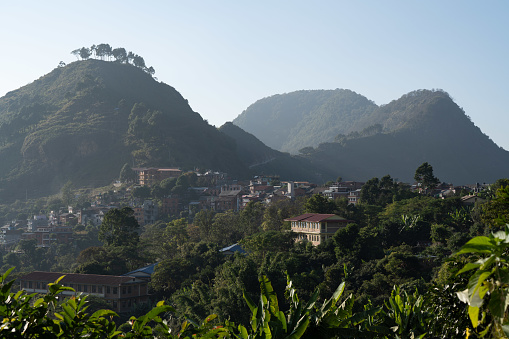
x,y
315,227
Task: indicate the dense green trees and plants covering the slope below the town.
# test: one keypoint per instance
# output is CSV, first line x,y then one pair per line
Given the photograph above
x,y
396,238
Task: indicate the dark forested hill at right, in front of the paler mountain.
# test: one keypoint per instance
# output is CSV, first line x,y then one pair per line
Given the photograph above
x,y
421,126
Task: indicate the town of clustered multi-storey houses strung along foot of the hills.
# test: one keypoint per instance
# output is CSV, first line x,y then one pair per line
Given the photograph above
x,y
221,195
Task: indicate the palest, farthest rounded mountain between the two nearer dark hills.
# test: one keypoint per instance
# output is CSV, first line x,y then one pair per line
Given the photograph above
x,y
289,122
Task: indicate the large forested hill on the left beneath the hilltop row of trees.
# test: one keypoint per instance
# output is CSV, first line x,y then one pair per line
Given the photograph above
x,y
84,121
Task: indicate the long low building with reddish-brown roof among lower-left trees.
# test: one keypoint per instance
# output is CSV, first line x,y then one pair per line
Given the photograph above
x,y
121,292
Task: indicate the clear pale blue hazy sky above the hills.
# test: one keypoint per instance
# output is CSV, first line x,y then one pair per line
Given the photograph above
x,y
224,55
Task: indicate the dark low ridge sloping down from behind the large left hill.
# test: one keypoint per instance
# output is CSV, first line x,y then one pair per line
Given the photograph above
x,y
263,160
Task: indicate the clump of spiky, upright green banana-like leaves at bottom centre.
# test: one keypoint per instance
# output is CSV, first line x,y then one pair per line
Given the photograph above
x,y
307,319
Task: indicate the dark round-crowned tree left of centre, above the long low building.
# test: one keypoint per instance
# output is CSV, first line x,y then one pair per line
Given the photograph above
x,y
119,228
